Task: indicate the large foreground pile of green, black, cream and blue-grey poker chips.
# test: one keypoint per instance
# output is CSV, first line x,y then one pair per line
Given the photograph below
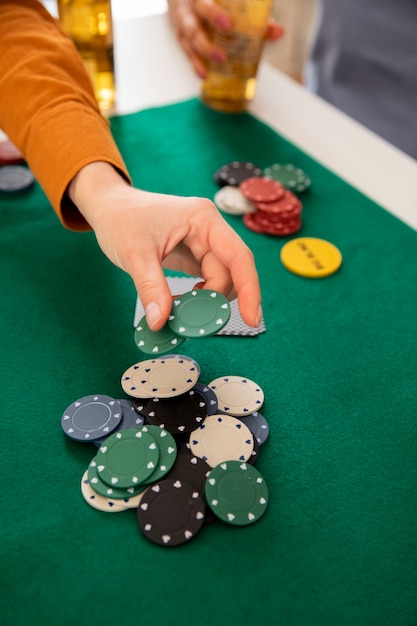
x,y
179,452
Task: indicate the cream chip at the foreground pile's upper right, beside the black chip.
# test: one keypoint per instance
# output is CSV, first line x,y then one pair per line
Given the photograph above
x,y
237,395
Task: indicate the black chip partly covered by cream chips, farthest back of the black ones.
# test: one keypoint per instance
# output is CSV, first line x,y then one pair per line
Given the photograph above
x,y
181,414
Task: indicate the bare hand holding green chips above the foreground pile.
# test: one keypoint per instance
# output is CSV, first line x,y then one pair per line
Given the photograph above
x,y
142,232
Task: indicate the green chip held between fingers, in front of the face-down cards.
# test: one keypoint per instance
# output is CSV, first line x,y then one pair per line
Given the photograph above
x,y
199,313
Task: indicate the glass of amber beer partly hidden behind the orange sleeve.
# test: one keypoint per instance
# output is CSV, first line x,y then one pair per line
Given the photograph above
x,y
89,24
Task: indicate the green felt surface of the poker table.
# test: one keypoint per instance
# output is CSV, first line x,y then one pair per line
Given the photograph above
x,y
337,363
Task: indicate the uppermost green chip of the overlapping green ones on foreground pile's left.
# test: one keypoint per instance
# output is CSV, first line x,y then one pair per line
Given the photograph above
x,y
127,458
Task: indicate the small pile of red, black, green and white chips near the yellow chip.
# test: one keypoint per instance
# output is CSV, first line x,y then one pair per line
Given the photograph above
x,y
267,199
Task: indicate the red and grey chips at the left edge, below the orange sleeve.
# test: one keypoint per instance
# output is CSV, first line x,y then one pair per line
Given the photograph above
x,y
14,175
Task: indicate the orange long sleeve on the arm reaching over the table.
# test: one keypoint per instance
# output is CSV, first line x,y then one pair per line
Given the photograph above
x,y
47,104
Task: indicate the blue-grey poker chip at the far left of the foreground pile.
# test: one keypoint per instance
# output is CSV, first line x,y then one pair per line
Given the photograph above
x,y
91,417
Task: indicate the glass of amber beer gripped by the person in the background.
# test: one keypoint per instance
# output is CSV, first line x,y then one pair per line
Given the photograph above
x,y
231,86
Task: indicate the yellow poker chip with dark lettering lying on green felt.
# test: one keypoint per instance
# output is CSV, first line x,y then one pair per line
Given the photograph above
x,y
311,257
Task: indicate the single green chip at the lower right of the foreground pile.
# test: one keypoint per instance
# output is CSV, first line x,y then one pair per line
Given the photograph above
x,y
236,493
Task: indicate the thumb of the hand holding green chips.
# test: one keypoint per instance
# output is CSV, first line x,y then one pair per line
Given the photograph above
x,y
152,288
